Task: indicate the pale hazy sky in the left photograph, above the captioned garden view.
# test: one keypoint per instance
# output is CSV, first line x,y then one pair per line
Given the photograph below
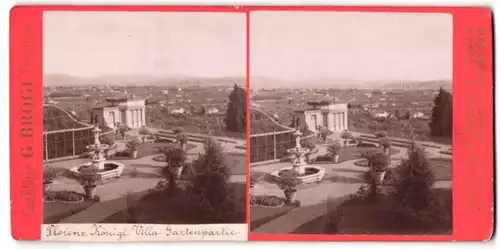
x,y
144,43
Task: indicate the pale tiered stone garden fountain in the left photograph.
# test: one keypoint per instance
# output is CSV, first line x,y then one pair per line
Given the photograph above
x,y
106,169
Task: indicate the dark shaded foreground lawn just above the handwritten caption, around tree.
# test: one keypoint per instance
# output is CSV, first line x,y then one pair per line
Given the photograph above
x,y
177,209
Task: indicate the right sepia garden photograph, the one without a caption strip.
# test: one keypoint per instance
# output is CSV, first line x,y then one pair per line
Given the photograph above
x,y
350,123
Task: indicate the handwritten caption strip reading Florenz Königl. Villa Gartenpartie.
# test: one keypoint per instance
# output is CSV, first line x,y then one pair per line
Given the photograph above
x,y
121,232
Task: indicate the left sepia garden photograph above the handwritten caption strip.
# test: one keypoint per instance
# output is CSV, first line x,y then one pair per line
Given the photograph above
x,y
144,117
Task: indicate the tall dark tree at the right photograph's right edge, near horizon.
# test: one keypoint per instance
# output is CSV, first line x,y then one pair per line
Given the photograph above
x,y
441,123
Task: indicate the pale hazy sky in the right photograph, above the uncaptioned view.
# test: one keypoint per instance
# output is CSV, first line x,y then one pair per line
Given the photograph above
x,y
361,46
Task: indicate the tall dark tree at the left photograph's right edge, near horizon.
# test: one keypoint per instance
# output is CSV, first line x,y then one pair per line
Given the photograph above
x,y
236,110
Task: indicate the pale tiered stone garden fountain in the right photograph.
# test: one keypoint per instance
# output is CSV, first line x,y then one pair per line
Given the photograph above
x,y
305,173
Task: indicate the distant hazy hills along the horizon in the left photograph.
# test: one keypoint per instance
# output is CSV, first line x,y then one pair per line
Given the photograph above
x,y
67,80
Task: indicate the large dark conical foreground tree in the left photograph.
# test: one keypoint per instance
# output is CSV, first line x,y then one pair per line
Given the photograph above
x,y
210,186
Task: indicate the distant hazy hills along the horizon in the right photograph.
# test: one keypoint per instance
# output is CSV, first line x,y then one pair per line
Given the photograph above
x,y
345,83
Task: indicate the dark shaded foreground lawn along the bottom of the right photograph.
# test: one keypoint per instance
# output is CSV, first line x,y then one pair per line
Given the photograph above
x,y
384,217
